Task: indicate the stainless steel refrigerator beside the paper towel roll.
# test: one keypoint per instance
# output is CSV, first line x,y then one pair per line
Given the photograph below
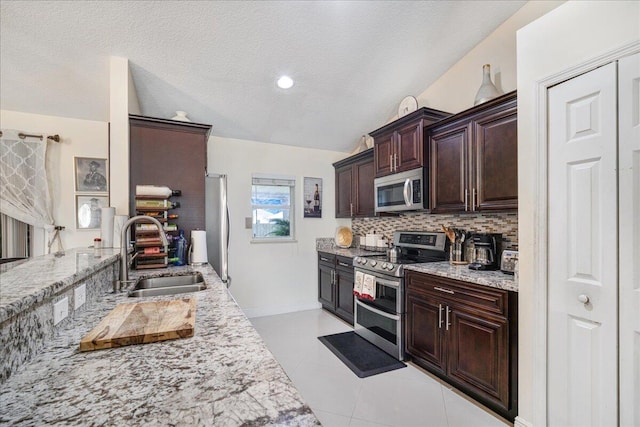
x,y
217,225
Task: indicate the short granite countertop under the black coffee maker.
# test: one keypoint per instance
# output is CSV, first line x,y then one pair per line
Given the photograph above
x,y
494,279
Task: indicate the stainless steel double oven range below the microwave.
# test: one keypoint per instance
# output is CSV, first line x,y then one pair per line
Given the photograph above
x,y
381,321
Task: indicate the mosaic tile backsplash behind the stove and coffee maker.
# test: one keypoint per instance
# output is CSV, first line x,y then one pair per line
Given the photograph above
x,y
503,223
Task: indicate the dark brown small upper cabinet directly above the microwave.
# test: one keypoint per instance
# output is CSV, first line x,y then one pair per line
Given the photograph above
x,y
399,145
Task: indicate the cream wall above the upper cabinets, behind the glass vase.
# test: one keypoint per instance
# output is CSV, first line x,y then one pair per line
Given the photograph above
x,y
456,89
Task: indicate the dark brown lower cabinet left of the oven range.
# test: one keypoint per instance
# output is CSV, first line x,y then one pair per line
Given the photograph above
x,y
335,285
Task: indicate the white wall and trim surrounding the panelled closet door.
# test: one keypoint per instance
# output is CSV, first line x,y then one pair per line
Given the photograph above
x,y
567,36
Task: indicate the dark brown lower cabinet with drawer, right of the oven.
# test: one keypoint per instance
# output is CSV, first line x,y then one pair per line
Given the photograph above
x,y
465,334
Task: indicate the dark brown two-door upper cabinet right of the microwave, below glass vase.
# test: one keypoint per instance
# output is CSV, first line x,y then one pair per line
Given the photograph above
x,y
474,158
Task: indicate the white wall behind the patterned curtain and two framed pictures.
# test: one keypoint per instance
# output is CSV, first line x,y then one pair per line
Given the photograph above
x,y
81,138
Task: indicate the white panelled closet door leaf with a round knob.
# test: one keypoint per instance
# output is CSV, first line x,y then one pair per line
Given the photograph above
x,y
582,265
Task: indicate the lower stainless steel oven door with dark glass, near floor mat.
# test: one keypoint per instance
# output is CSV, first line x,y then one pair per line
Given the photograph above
x,y
382,329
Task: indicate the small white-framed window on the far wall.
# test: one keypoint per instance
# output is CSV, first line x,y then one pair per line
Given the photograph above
x,y
272,205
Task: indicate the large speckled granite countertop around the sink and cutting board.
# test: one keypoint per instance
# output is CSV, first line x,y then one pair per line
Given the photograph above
x,y
224,375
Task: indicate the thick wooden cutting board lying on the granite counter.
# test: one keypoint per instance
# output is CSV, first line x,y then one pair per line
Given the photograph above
x,y
141,323
